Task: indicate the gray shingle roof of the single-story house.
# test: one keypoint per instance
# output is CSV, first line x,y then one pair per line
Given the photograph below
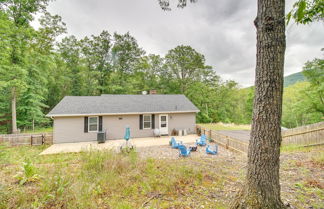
x,y
122,104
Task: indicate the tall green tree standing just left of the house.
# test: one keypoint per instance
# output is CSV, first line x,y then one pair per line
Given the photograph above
x,y
39,55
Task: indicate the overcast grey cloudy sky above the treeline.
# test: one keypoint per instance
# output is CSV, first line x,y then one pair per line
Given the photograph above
x,y
222,30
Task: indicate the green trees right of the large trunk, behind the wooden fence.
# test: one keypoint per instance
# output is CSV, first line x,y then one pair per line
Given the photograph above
x,y
303,103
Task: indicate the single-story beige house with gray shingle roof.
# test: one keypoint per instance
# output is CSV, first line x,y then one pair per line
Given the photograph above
x,y
79,118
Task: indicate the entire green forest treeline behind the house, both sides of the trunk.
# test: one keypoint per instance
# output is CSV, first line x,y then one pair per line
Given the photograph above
x,y
37,71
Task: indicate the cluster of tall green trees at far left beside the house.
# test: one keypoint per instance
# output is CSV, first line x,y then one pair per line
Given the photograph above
x,y
24,59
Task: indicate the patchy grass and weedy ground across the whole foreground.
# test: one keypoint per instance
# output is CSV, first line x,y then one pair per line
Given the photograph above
x,y
103,179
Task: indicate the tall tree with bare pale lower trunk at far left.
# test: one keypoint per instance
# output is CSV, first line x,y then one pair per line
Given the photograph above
x,y
21,13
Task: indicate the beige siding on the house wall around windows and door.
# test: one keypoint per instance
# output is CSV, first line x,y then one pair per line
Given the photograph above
x,y
71,129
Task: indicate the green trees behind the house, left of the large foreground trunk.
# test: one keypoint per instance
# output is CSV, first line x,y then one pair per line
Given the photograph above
x,y
104,64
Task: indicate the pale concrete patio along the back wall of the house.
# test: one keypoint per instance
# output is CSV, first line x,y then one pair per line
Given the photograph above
x,y
115,144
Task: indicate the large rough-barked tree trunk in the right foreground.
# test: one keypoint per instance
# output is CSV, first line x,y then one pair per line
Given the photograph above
x,y
262,188
